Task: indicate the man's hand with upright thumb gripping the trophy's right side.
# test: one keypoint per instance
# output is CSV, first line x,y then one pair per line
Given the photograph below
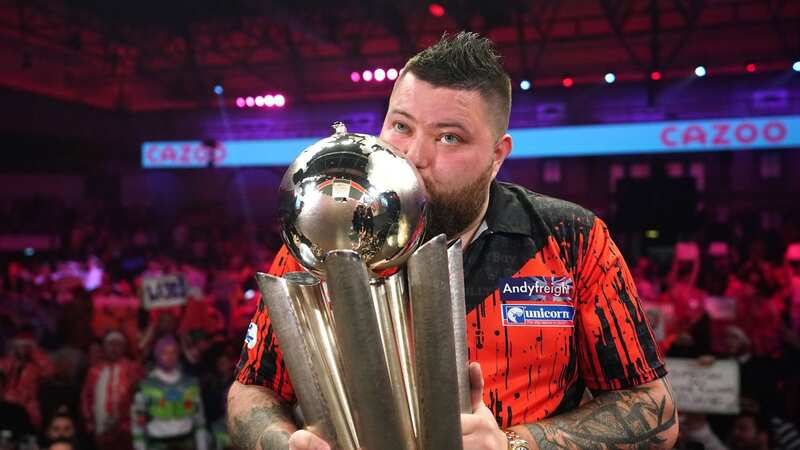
x,y
479,430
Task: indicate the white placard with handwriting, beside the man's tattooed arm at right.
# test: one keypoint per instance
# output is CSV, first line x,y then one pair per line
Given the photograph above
x,y
712,389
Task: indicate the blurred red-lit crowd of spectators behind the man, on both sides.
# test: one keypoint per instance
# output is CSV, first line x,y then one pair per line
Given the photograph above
x,y
88,365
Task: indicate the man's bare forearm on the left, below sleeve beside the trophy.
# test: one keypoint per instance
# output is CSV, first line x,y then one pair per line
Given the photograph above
x,y
257,419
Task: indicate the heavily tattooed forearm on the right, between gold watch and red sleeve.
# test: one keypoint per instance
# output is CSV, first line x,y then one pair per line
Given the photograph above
x,y
627,419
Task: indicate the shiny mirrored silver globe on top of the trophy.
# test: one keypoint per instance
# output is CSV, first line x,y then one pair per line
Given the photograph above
x,y
354,192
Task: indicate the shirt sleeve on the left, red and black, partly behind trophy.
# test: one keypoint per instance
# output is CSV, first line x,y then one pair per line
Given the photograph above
x,y
261,362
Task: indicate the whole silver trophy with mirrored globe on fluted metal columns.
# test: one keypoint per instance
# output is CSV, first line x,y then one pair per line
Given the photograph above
x,y
373,335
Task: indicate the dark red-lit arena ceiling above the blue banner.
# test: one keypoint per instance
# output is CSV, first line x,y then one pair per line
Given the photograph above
x,y
167,54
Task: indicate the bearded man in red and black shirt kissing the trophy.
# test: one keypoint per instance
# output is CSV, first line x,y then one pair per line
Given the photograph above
x,y
448,114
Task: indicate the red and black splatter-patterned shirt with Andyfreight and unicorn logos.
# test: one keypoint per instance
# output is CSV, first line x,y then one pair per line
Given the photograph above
x,y
551,310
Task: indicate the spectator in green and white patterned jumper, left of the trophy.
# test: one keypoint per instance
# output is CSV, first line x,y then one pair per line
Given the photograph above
x,y
168,407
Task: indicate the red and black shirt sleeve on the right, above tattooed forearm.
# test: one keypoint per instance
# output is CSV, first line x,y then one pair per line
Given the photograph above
x,y
617,349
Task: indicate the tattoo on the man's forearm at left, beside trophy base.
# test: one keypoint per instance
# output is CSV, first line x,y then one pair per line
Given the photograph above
x,y
258,428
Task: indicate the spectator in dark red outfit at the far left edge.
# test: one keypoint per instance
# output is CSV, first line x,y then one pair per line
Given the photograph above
x,y
25,367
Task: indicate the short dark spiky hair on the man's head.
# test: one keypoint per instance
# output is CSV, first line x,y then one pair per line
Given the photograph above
x,y
467,61
